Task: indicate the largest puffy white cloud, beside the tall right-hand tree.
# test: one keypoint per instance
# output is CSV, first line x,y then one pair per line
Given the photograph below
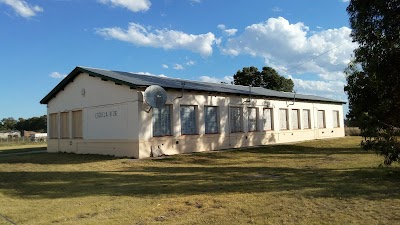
x,y
292,47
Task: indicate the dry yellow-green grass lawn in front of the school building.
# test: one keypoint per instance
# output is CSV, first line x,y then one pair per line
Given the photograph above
x,y
316,182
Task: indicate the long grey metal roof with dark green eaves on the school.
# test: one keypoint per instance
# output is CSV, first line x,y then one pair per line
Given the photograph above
x,y
140,80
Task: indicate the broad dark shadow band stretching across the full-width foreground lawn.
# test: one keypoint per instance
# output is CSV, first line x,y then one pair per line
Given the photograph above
x,y
376,183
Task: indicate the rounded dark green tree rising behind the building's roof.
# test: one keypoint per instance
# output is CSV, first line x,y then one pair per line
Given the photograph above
x,y
267,78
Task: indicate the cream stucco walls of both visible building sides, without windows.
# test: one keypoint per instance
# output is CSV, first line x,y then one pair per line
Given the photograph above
x,y
117,122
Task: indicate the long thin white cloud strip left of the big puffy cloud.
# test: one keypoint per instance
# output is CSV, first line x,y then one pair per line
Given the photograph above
x,y
164,38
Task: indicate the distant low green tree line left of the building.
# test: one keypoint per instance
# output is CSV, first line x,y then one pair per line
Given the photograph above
x,y
38,124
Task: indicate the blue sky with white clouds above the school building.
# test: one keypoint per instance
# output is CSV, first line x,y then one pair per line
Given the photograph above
x,y
207,40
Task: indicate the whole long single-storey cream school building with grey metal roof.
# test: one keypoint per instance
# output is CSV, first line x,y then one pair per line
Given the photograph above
x,y
96,111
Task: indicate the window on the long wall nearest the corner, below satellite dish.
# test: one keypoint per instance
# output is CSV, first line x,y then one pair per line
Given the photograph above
x,y
162,121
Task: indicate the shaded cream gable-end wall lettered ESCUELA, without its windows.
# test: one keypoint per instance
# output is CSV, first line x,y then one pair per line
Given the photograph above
x,y
109,114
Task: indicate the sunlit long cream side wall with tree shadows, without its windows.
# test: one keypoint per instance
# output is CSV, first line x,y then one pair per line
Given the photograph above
x,y
177,143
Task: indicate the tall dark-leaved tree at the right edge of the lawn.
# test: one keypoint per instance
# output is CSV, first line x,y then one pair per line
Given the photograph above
x,y
373,80
